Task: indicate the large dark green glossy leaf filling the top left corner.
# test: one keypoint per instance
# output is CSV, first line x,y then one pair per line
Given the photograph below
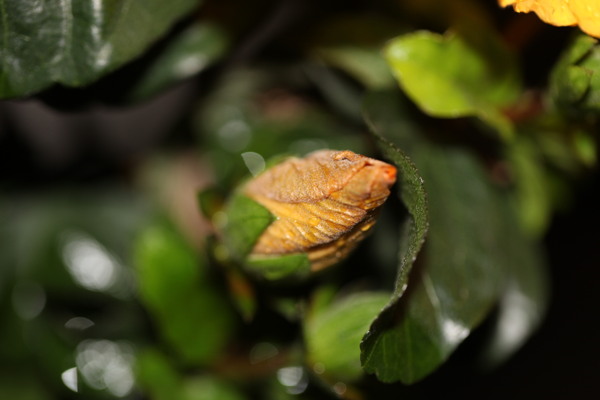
x,y
76,42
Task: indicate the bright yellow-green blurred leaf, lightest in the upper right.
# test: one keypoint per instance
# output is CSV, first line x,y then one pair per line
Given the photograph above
x,y
456,76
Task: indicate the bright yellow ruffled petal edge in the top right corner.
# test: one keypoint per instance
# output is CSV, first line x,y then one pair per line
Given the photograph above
x,y
585,13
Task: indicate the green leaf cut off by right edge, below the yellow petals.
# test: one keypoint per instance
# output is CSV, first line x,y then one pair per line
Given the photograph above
x,y
575,79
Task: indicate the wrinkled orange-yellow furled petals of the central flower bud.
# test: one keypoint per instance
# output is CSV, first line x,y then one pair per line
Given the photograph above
x,y
324,203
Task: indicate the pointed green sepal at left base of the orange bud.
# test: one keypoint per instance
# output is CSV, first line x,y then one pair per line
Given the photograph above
x,y
245,222
